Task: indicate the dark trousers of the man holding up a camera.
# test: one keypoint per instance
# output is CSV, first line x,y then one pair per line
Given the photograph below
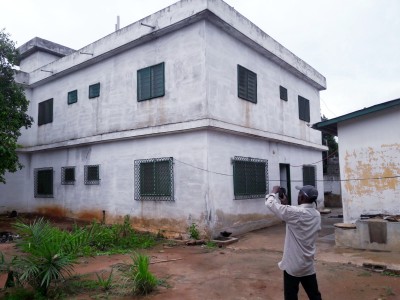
x,y
291,286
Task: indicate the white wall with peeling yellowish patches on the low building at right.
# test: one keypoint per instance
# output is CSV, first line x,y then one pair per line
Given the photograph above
x,y
370,164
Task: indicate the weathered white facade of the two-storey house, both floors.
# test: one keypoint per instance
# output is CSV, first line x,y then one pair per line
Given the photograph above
x,y
200,121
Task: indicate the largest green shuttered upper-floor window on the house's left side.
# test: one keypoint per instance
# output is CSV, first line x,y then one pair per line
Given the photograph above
x,y
150,82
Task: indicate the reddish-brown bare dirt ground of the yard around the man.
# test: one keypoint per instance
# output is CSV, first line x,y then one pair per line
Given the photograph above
x,y
247,269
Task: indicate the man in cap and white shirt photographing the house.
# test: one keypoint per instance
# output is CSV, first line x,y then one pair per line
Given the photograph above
x,y
303,222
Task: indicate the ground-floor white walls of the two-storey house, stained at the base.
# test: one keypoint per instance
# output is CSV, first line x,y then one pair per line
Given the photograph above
x,y
202,176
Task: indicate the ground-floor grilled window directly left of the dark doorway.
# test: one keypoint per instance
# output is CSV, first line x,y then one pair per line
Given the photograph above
x,y
250,176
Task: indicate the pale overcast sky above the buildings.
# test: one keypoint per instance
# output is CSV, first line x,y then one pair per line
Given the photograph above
x,y
355,44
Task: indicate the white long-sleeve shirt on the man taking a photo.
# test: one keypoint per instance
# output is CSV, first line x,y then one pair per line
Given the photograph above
x,y
302,225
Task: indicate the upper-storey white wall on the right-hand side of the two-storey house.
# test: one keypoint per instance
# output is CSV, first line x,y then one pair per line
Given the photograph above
x,y
270,114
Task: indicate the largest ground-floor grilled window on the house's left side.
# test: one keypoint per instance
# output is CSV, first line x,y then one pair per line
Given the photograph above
x,y
154,179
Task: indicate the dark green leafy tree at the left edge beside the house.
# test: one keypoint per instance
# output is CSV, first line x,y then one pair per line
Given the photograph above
x,y
13,107
